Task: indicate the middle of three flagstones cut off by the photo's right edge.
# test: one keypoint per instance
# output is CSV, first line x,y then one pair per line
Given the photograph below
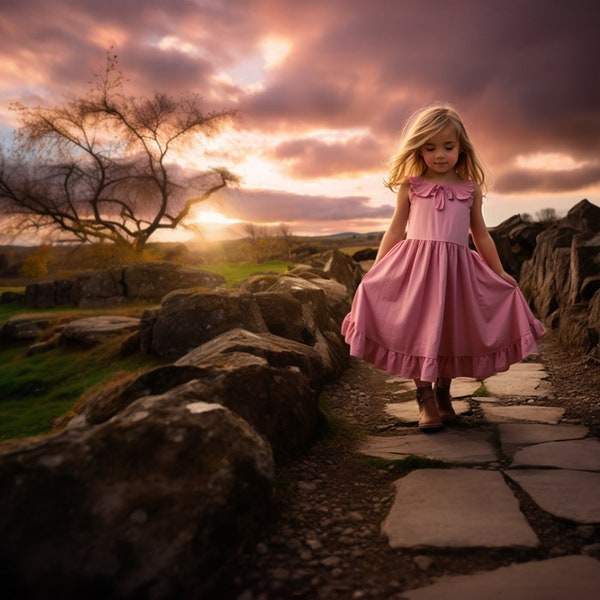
x,y
566,494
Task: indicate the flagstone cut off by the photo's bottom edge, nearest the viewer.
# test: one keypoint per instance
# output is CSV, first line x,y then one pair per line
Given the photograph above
x,y
576,577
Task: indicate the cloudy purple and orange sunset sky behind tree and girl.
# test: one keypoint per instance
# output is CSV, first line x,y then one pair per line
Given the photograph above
x,y
324,86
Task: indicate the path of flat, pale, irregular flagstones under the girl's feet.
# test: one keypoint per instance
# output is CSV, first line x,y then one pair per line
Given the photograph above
x,y
472,504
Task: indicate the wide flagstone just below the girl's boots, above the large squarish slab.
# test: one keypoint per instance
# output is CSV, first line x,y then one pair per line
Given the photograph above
x,y
460,447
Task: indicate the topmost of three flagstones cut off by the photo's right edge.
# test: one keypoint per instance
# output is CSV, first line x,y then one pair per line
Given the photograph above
x,y
581,455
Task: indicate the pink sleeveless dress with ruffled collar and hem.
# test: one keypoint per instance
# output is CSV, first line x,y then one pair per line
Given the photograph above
x,y
431,307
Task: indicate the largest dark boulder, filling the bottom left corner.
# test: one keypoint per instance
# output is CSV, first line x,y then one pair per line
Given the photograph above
x,y
152,504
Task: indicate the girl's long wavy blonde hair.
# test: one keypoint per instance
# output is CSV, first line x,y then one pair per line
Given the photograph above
x,y
419,129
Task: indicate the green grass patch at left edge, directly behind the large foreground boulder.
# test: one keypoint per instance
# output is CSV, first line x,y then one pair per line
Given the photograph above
x,y
36,390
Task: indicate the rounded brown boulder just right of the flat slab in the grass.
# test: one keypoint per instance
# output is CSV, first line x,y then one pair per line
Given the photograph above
x,y
189,318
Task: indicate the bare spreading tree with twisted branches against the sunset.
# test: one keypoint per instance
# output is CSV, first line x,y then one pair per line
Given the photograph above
x,y
102,167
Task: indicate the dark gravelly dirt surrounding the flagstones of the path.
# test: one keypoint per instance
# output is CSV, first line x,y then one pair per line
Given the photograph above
x,y
324,537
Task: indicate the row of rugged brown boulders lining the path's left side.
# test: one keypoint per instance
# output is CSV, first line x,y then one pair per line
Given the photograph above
x,y
154,484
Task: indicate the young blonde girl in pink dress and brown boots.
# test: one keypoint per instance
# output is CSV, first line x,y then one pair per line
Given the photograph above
x,y
430,308
